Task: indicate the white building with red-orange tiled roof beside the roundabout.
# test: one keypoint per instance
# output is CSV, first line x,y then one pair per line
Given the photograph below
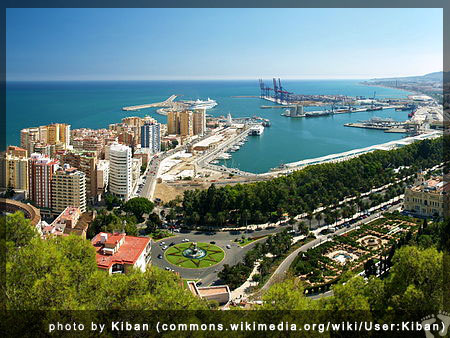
x,y
117,252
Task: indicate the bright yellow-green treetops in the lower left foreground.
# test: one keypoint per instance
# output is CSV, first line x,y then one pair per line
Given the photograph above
x,y
61,273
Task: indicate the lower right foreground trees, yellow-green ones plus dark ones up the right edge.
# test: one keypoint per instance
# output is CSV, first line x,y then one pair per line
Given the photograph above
x,y
413,287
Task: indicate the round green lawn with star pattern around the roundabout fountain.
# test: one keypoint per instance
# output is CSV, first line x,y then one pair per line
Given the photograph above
x,y
214,255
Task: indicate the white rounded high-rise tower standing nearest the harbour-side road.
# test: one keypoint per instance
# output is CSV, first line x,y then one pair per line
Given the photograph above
x,y
120,179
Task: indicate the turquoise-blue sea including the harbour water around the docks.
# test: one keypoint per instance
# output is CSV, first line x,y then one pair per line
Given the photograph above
x,y
96,104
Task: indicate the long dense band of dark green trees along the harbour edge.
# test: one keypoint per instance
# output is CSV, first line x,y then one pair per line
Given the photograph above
x,y
305,190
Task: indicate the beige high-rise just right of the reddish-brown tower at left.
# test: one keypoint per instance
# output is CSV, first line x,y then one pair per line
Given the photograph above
x,y
68,189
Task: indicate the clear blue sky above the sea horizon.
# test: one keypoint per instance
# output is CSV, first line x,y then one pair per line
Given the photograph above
x,y
140,44
